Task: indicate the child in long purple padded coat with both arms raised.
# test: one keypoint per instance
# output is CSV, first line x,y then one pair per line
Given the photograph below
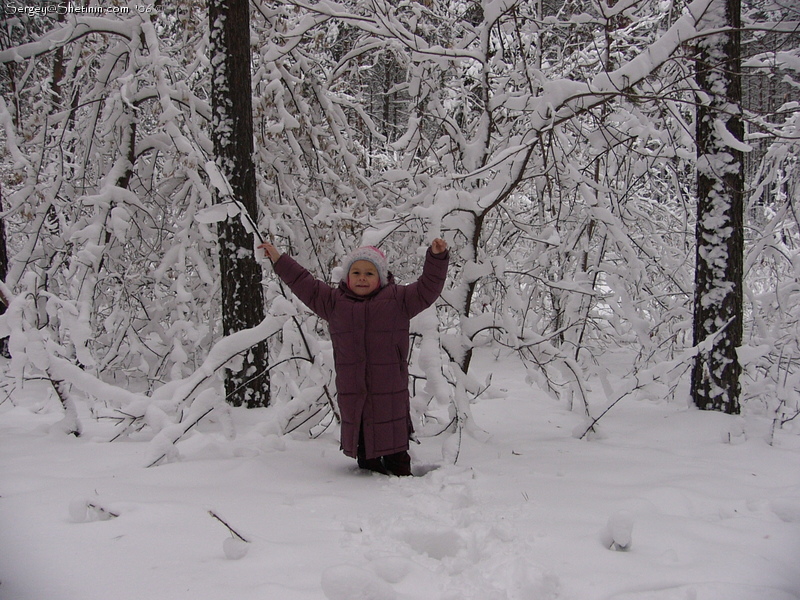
x,y
368,316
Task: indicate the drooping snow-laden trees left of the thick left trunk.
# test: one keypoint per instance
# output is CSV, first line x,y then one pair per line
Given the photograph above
x,y
106,163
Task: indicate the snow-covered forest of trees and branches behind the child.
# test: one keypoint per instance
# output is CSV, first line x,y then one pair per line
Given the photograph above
x,y
609,176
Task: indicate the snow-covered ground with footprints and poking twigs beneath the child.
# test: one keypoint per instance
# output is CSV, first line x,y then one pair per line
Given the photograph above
x,y
705,507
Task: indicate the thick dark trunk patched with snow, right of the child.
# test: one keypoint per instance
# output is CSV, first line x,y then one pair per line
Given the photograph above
x,y
718,300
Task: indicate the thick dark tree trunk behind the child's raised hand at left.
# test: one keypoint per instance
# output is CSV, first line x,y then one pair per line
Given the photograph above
x,y
242,295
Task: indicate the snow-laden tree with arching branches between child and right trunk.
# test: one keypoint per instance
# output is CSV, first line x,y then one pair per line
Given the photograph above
x,y
557,154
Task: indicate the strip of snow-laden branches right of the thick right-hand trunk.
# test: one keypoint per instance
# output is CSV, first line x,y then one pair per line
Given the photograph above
x,y
771,78
